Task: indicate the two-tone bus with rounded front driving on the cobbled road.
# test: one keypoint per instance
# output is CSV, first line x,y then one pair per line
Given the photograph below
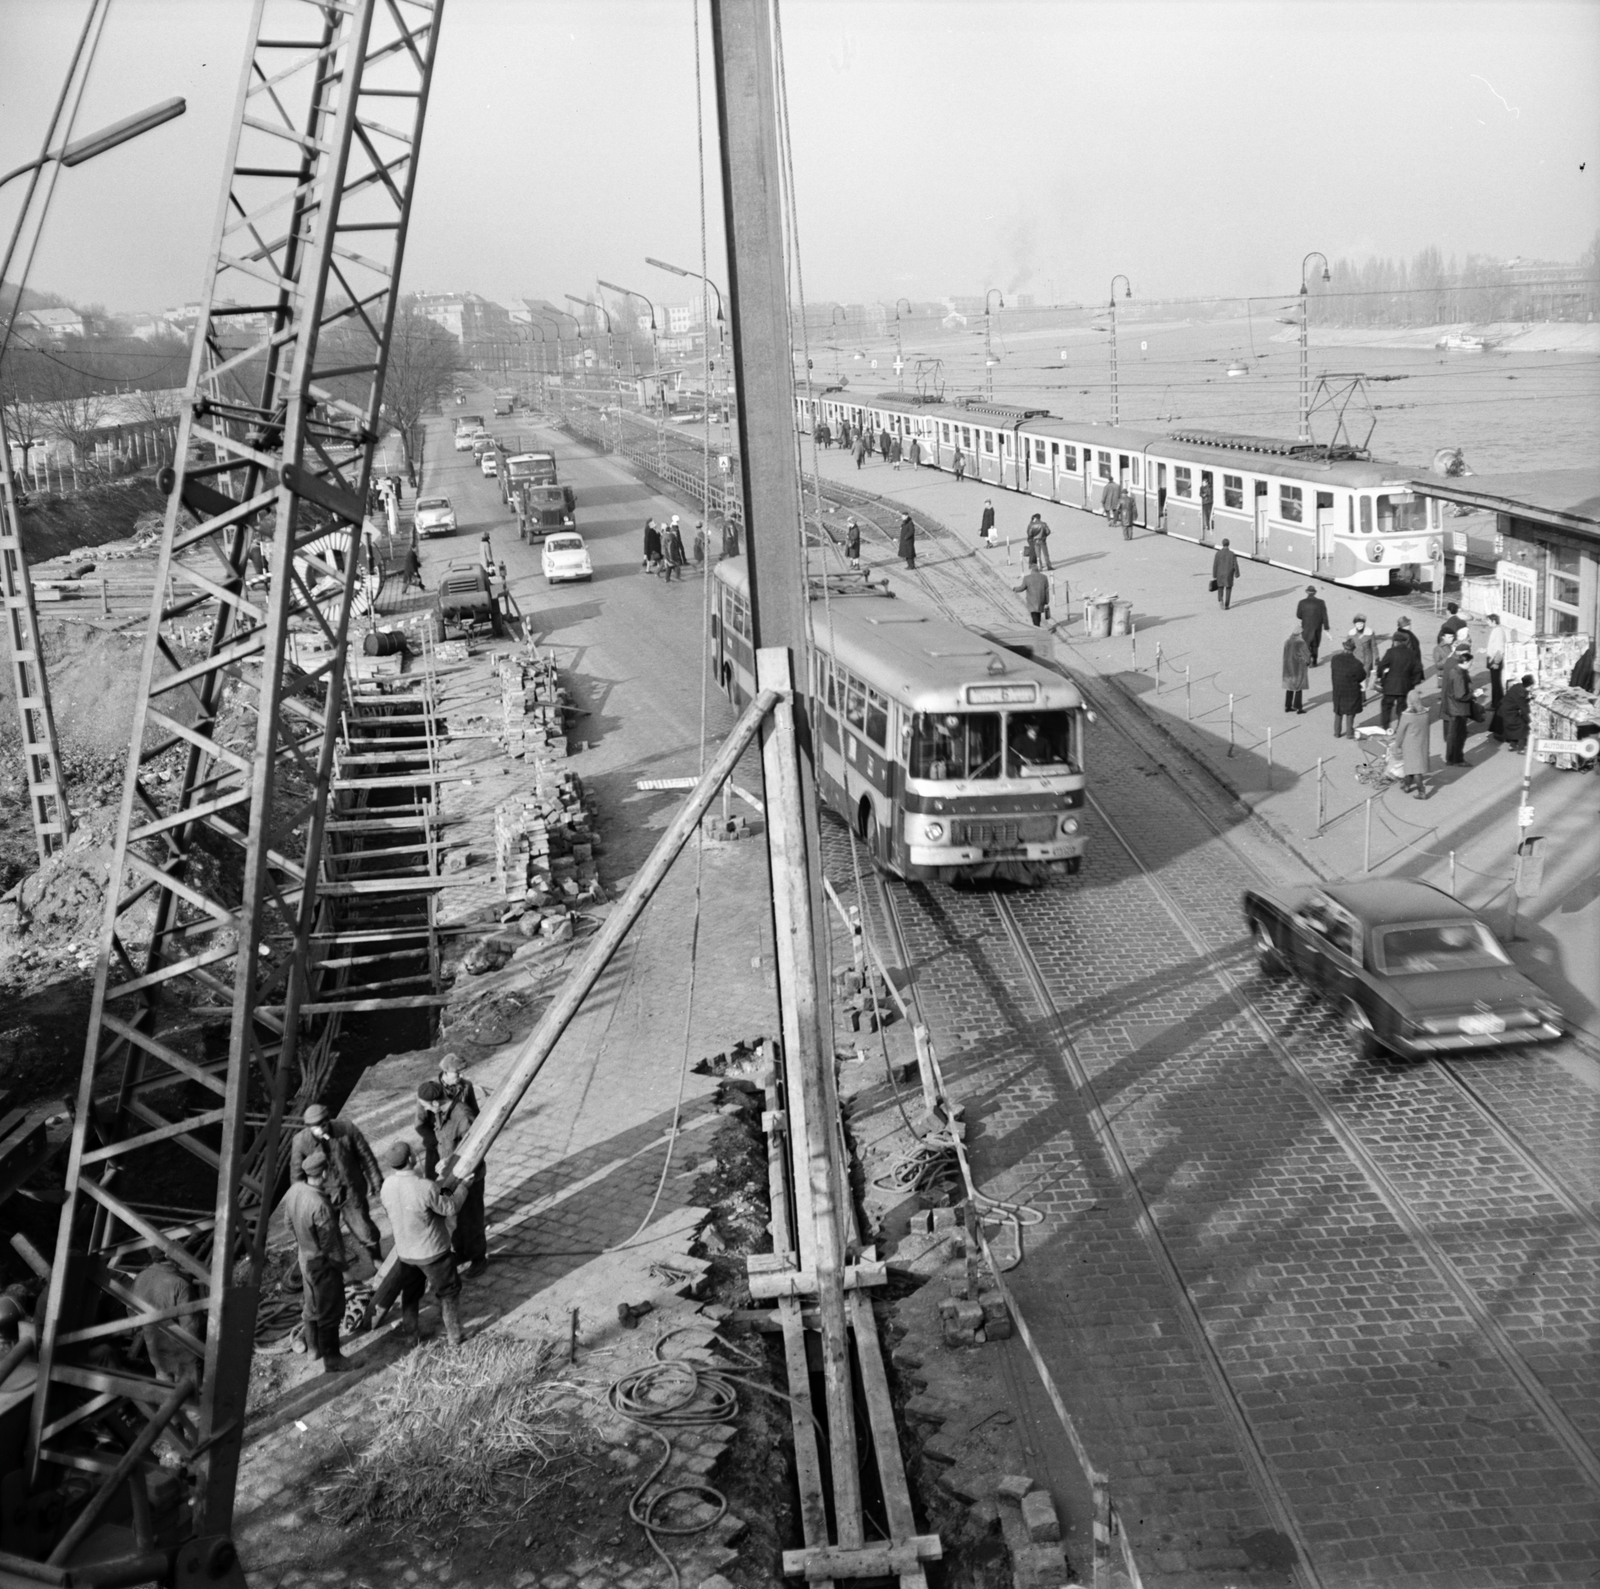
x,y
950,754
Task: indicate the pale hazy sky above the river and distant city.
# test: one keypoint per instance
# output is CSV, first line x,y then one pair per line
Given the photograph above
x,y
940,146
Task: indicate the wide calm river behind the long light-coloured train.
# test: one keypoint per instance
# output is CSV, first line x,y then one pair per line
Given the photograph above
x,y
1505,410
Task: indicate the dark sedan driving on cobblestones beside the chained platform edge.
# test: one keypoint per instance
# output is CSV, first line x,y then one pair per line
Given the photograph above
x,y
1409,967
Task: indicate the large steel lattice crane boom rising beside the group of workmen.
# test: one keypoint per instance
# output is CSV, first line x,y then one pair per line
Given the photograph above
x,y
196,1027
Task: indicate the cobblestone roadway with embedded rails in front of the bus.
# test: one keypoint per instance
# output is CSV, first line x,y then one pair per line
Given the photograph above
x,y
1324,1231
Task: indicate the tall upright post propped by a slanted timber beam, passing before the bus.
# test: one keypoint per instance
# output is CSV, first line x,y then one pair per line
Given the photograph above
x,y
769,466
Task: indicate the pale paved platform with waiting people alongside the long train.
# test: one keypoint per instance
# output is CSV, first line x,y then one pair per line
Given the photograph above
x,y
1188,660
